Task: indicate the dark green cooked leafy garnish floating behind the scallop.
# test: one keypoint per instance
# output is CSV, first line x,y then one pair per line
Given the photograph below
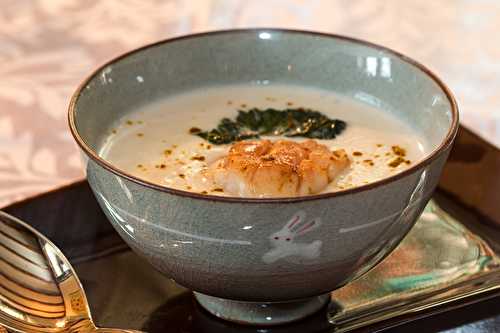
x,y
290,122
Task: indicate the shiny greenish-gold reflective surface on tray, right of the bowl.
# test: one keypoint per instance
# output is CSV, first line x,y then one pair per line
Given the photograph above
x,y
439,261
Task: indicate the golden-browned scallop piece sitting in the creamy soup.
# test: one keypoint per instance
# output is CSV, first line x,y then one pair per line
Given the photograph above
x,y
280,167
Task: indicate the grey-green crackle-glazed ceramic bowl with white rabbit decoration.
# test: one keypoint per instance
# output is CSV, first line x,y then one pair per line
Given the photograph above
x,y
239,254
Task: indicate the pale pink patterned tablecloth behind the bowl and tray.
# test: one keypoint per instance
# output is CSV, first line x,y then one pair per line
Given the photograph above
x,y
48,46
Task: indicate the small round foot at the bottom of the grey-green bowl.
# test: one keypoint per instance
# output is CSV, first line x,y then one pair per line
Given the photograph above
x,y
261,313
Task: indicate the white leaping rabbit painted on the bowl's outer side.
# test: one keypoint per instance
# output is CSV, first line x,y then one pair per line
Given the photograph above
x,y
283,241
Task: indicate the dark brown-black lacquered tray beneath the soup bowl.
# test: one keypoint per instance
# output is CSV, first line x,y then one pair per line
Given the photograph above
x,y
126,292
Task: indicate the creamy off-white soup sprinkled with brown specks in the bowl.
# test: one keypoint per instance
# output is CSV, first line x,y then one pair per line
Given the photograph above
x,y
156,142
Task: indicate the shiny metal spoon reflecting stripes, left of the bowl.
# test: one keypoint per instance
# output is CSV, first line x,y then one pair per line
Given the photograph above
x,y
39,290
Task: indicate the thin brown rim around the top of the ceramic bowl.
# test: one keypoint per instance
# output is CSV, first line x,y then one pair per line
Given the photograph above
x,y
447,141
